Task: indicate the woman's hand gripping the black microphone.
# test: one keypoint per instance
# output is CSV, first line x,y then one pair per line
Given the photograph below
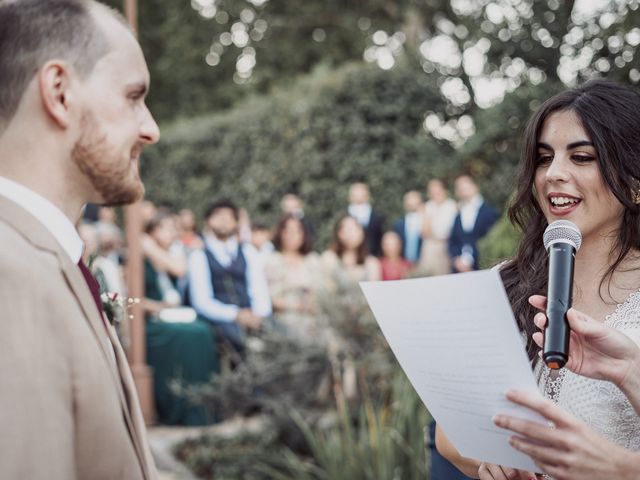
x,y
596,350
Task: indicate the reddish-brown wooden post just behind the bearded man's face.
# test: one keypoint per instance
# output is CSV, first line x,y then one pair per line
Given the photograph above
x,y
142,374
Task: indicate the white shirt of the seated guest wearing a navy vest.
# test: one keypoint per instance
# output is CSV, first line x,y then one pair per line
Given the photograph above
x,y
201,288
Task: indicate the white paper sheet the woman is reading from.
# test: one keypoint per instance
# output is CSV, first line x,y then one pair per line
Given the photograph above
x,y
456,339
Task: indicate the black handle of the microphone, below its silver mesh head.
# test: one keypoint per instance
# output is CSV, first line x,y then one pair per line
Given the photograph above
x,y
559,294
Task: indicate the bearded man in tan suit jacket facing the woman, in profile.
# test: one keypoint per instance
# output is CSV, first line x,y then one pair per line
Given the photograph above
x,y
72,125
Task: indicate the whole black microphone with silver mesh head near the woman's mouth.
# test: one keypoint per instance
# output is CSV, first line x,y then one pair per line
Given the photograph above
x,y
562,240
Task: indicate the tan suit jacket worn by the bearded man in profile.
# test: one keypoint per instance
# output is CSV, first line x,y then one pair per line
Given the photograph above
x,y
68,406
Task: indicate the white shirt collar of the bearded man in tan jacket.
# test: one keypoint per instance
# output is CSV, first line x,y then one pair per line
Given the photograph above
x,y
46,213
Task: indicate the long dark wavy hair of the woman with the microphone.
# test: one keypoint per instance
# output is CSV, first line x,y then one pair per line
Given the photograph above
x,y
610,115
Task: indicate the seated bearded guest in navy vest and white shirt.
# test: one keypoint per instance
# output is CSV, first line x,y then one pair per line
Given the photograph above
x,y
227,285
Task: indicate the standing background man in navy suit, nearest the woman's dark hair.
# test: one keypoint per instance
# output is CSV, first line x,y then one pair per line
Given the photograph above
x,y
475,218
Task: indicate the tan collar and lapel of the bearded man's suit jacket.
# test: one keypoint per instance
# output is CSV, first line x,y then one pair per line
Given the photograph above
x,y
35,233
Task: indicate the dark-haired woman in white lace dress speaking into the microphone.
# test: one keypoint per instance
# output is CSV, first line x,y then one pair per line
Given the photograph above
x,y
580,162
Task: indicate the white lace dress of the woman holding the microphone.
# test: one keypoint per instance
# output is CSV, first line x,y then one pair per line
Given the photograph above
x,y
600,404
